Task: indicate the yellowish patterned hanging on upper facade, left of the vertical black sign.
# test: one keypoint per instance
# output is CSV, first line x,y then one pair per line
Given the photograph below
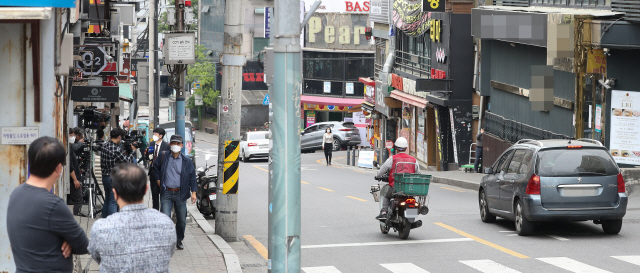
x,y
409,18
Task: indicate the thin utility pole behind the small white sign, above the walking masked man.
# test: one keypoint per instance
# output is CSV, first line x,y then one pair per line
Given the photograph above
x,y
181,90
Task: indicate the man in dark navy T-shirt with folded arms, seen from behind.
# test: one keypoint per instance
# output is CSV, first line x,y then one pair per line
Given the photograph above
x,y
42,231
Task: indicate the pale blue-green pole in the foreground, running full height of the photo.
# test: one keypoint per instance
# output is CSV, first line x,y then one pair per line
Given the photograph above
x,y
285,153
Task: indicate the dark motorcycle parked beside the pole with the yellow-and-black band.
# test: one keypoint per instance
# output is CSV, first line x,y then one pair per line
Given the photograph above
x,y
206,193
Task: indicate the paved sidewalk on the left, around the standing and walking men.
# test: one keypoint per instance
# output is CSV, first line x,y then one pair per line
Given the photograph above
x,y
200,254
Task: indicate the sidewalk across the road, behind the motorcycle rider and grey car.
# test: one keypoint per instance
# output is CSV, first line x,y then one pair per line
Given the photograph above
x,y
467,180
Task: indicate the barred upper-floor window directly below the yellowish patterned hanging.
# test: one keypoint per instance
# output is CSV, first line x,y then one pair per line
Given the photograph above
x,y
413,54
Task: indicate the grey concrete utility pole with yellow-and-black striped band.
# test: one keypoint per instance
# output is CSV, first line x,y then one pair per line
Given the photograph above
x,y
229,121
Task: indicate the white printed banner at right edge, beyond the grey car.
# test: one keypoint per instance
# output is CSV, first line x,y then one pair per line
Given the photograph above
x,y
625,127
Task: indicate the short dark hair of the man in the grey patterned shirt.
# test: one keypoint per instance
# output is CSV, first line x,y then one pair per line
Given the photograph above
x,y
129,181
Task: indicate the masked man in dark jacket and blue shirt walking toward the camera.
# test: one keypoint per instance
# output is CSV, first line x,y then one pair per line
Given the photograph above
x,y
177,180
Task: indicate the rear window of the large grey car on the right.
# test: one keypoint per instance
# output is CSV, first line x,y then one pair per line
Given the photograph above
x,y
575,162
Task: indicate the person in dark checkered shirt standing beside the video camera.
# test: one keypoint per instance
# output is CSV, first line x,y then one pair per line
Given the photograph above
x,y
110,156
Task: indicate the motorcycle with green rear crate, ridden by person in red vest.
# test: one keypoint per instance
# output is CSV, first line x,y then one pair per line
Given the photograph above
x,y
405,204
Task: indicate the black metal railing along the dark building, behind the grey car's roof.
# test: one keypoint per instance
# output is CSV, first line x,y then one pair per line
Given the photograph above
x,y
513,131
